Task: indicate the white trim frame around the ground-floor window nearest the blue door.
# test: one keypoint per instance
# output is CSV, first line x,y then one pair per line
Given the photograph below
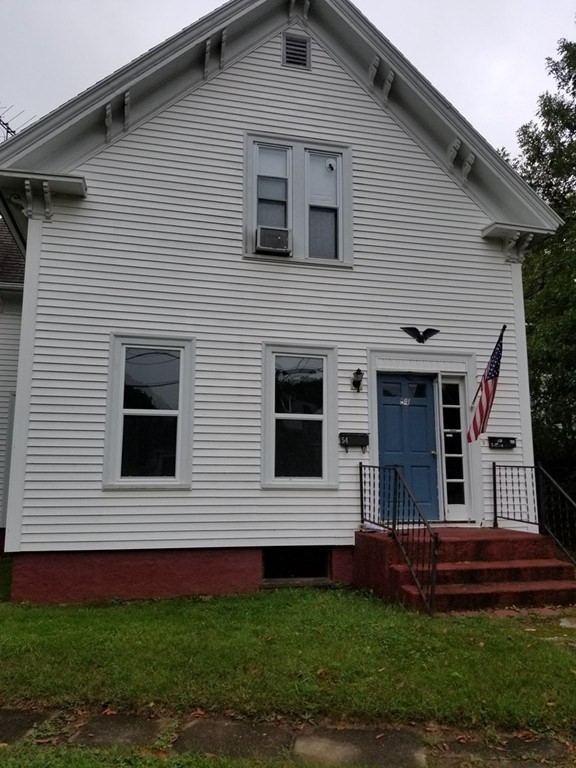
x,y
329,480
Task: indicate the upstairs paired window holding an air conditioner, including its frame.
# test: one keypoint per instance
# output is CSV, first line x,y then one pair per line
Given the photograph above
x,y
300,202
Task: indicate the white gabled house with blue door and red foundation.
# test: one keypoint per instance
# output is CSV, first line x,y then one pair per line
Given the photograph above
x,y
218,237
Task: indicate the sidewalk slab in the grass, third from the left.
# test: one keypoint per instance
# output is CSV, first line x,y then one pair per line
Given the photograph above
x,y
233,738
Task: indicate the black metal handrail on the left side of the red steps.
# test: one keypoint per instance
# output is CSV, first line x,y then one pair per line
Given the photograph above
x,y
387,501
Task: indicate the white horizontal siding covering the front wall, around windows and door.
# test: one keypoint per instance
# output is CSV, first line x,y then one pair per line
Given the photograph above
x,y
157,249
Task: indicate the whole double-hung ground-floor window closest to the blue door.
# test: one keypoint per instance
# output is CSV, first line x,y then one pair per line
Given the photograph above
x,y
300,418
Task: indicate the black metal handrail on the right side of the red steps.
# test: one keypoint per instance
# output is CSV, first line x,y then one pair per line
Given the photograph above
x,y
528,494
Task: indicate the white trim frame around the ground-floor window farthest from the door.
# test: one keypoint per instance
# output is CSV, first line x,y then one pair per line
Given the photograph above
x,y
113,437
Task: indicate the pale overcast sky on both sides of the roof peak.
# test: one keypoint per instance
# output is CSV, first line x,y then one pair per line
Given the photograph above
x,y
487,57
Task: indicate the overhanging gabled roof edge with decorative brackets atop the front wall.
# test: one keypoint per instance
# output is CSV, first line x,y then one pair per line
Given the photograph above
x,y
58,142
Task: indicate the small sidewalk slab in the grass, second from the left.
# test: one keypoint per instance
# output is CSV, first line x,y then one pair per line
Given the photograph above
x,y
126,730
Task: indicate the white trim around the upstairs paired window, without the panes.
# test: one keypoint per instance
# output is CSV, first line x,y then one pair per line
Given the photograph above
x,y
298,199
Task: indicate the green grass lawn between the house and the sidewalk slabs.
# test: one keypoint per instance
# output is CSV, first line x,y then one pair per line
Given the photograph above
x,y
290,653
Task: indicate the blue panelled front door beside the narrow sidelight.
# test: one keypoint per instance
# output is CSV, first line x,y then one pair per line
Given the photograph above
x,y
407,435
